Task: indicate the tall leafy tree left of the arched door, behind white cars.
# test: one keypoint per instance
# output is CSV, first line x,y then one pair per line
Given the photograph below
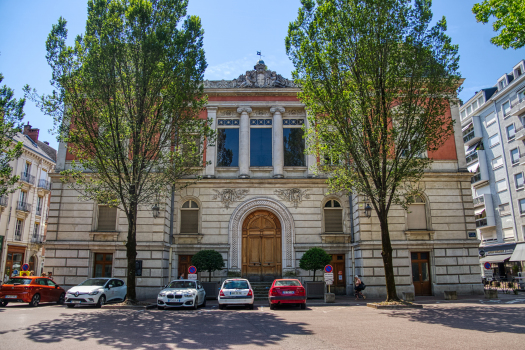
x,y
127,100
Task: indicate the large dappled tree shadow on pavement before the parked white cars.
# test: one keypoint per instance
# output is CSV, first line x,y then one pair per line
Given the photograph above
x,y
129,329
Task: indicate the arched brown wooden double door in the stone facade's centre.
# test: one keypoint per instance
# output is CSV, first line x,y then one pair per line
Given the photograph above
x,y
261,246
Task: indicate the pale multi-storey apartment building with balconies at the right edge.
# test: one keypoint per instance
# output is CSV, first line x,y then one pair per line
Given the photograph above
x,y
494,137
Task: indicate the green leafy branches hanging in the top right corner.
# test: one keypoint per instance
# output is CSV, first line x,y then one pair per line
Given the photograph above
x,y
509,23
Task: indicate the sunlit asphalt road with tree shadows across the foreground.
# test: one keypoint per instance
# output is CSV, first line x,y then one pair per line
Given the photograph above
x,y
437,326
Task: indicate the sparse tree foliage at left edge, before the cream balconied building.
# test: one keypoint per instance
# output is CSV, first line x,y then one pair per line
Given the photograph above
x,y
11,115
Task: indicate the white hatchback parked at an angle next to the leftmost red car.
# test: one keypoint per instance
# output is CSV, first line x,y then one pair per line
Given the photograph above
x,y
97,291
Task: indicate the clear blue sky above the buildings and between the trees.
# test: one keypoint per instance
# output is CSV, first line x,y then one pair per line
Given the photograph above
x,y
234,31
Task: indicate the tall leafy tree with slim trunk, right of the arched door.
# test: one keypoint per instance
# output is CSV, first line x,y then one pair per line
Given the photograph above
x,y
378,81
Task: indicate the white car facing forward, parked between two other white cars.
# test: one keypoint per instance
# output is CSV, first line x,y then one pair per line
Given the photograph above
x,y
182,293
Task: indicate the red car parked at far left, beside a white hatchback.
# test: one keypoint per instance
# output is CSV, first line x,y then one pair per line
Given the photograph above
x,y
32,290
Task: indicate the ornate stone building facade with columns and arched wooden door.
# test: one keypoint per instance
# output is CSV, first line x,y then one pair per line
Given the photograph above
x,y
261,207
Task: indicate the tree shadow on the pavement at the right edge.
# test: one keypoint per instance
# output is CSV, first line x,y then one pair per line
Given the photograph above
x,y
492,319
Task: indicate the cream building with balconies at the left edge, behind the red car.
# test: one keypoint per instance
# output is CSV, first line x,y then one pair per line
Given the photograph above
x,y
23,213
